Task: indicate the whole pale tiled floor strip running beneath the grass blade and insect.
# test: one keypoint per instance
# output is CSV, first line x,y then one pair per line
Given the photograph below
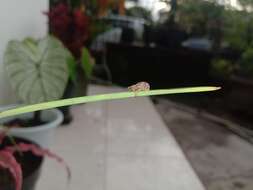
x,y
118,145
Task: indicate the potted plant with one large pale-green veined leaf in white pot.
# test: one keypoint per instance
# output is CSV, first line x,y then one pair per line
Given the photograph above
x,y
38,72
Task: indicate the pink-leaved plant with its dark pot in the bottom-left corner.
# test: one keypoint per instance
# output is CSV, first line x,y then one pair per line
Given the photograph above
x,y
20,163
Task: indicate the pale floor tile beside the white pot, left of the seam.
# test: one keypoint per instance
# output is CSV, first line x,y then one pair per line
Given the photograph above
x,y
87,131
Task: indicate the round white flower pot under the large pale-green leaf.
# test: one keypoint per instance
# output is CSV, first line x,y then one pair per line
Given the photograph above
x,y
43,135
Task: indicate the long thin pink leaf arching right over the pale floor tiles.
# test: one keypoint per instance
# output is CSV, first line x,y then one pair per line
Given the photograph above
x,y
39,152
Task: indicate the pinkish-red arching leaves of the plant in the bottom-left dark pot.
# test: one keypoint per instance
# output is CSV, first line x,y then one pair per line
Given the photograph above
x,y
8,161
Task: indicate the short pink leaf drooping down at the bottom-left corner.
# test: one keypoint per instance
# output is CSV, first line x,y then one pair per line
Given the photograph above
x,y
8,161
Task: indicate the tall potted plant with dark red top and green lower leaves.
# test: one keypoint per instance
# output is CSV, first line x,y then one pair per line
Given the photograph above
x,y
70,24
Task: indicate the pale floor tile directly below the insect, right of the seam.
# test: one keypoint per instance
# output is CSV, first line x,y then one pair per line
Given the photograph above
x,y
135,127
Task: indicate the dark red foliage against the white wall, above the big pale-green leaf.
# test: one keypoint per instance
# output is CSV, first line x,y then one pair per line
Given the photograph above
x,y
70,26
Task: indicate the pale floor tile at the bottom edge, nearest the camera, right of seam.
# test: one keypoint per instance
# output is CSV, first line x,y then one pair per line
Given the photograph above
x,y
149,173
